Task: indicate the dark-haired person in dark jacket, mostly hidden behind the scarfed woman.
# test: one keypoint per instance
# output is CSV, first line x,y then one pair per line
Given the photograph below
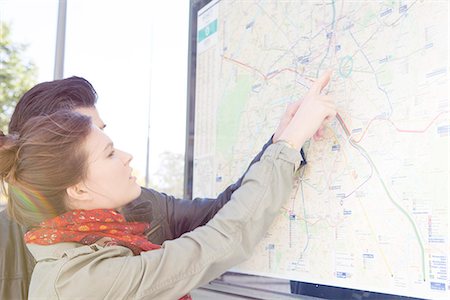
x,y
168,216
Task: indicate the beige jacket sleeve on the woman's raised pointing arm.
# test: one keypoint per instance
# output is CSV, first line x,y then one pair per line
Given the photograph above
x,y
228,239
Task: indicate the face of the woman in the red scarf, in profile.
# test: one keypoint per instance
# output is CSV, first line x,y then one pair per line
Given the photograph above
x,y
109,181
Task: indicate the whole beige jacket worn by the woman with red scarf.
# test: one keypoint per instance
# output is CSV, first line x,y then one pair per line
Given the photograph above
x,y
75,271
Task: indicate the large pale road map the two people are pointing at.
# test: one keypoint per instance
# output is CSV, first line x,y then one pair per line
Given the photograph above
x,y
370,210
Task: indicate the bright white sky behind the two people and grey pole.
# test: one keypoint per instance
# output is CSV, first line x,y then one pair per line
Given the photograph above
x,y
134,52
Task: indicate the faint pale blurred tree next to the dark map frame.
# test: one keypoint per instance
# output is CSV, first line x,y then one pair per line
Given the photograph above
x,y
169,178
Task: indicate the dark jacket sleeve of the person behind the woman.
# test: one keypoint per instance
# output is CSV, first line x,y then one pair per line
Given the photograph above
x,y
170,217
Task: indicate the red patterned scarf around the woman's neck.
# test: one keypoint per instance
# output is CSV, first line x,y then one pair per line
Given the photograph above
x,y
88,226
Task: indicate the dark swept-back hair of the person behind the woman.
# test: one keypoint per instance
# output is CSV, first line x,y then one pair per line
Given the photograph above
x,y
48,97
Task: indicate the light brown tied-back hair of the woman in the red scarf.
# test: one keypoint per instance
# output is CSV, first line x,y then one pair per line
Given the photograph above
x,y
40,164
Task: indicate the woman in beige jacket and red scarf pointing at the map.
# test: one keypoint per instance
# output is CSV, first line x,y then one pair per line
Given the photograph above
x,y
66,183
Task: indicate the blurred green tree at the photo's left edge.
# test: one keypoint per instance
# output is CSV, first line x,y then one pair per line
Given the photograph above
x,y
17,75
